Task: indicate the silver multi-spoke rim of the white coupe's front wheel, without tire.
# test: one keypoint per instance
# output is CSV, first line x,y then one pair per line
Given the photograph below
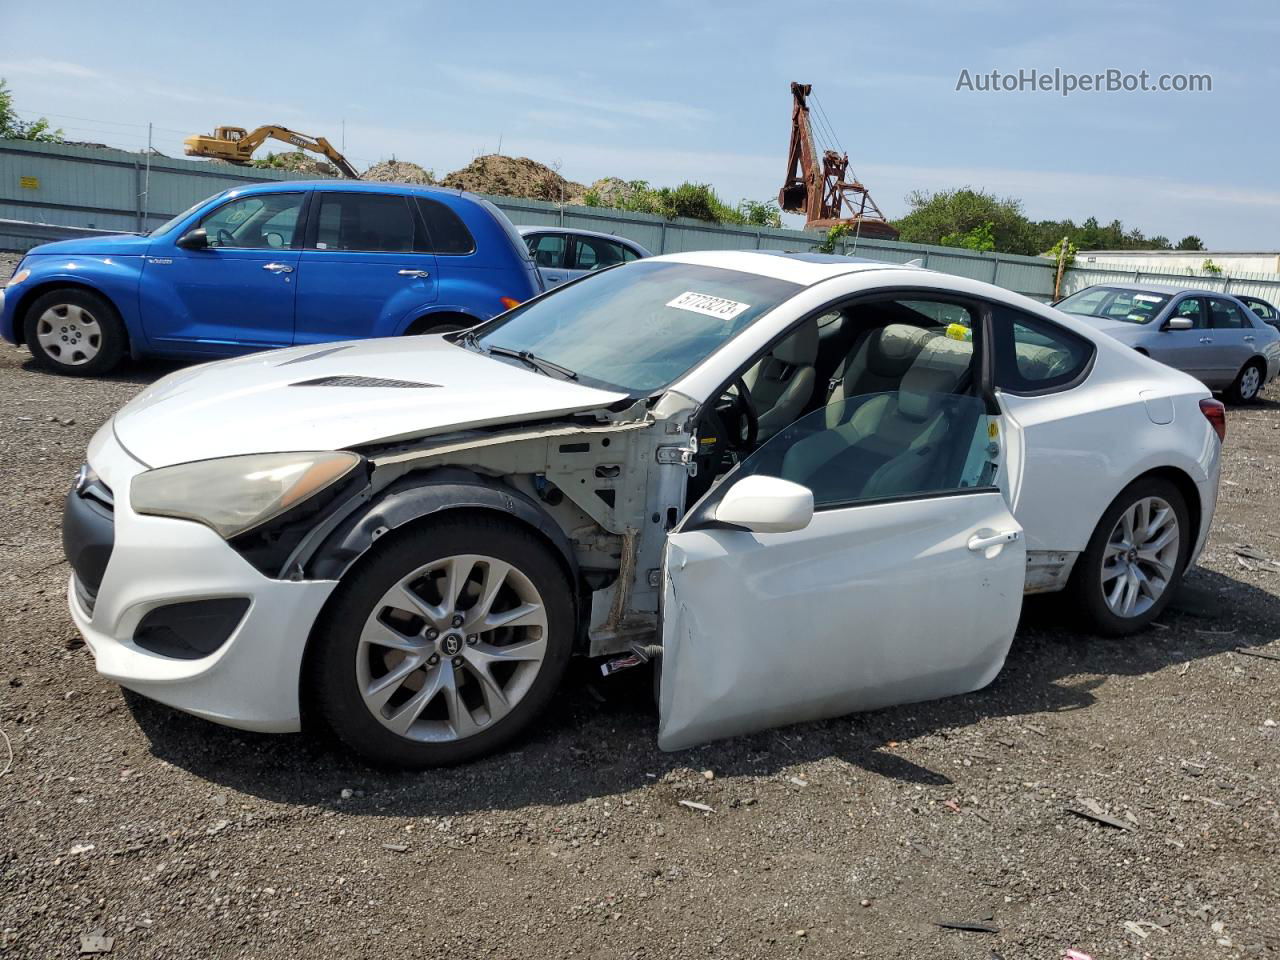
x,y
452,648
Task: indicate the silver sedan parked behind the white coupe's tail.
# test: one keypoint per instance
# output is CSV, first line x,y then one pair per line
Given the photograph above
x,y
1212,336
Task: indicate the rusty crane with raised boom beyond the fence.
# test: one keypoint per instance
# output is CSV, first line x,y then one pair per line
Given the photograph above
x,y
817,186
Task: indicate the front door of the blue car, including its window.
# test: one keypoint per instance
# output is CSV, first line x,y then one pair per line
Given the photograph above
x,y
235,295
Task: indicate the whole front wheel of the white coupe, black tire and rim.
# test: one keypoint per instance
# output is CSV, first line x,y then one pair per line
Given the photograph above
x,y
445,644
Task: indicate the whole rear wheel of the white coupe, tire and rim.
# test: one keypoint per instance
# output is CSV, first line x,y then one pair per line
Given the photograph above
x,y
1135,561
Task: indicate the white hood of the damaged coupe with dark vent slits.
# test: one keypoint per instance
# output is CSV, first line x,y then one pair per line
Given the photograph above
x,y
337,396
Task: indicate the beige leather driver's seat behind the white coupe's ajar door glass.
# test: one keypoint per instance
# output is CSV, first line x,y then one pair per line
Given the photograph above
x,y
892,444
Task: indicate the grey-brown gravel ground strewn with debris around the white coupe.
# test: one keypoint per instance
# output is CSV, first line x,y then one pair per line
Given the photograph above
x,y
172,838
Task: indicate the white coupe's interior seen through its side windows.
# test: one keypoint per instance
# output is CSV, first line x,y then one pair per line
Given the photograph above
x,y
872,401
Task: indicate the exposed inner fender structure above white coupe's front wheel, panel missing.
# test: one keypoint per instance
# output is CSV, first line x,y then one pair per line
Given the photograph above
x,y
604,495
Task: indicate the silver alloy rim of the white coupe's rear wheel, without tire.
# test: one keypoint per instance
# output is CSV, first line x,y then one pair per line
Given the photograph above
x,y
1141,557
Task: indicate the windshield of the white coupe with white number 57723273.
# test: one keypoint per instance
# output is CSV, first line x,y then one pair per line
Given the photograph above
x,y
638,327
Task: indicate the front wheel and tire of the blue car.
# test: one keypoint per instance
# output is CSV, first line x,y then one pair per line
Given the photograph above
x,y
75,332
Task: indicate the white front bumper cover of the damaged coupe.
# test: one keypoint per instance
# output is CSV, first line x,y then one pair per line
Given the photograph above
x,y
252,680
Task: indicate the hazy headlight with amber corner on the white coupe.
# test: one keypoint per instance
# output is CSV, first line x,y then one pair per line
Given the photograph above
x,y
236,495
